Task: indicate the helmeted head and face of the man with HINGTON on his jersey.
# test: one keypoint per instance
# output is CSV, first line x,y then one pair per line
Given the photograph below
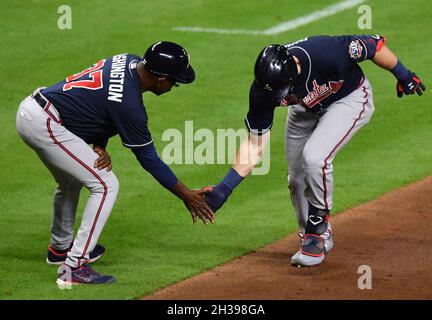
x,y
164,65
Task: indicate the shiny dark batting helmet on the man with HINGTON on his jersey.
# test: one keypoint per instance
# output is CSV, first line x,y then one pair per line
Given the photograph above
x,y
169,59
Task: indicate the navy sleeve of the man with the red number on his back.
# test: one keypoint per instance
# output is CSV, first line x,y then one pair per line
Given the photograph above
x,y
130,118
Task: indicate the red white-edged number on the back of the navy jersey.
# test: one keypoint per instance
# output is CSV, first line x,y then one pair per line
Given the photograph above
x,y
94,83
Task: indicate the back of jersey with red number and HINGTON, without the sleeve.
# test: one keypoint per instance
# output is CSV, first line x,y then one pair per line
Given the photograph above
x,y
83,99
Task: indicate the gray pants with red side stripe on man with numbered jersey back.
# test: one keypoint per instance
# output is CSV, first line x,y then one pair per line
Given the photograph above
x,y
71,162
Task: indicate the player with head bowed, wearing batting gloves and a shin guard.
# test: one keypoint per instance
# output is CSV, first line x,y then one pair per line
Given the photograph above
x,y
330,99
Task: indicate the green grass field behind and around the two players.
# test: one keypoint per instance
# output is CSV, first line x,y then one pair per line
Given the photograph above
x,y
150,239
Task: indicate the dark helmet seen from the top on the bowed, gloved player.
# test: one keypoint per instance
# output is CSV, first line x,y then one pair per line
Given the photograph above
x,y
275,68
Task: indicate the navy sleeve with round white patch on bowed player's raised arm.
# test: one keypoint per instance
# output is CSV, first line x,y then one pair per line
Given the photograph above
x,y
358,48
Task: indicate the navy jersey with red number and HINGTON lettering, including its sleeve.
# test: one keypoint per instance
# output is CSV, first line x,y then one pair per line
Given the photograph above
x,y
102,101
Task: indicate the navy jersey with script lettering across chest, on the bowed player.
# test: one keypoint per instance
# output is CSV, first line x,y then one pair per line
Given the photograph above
x,y
329,72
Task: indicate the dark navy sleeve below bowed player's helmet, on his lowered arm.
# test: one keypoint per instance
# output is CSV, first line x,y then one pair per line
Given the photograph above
x,y
262,104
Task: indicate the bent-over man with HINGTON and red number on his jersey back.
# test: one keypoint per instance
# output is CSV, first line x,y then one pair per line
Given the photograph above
x,y
61,121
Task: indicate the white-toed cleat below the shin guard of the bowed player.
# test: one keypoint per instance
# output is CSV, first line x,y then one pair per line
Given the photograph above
x,y
311,253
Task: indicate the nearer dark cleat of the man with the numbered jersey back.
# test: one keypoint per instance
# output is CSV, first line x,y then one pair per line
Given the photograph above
x,y
67,276
